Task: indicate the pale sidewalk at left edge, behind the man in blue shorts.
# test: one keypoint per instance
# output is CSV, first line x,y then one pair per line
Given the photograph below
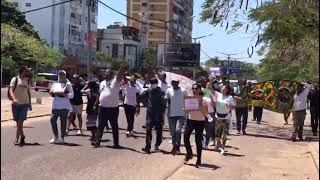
x,y
43,109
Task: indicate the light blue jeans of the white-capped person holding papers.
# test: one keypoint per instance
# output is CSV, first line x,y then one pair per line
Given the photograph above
x,y
63,114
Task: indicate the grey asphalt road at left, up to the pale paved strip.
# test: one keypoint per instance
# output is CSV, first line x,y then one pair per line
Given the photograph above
x,y
78,159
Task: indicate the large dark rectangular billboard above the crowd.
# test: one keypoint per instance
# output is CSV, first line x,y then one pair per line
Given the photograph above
x,y
178,54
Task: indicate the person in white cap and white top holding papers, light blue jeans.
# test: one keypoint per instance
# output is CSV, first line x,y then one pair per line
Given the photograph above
x,y
61,92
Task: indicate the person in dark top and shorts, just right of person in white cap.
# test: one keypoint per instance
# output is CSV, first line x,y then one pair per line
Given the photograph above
x,y
76,103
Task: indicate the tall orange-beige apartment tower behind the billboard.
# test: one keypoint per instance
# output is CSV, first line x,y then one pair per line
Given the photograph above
x,y
177,13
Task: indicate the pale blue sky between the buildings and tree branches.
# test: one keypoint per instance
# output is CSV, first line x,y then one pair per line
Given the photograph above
x,y
219,42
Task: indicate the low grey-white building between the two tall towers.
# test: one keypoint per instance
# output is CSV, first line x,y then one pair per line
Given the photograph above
x,y
120,42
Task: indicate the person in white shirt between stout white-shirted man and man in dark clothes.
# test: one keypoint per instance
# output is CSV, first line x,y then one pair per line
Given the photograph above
x,y
131,94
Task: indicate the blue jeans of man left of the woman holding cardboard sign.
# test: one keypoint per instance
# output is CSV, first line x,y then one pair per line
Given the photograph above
x,y
176,124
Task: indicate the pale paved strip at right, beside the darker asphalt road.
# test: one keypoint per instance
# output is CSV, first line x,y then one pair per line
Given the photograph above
x,y
264,153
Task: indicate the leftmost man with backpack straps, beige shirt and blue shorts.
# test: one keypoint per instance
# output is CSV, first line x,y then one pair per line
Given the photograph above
x,y
19,94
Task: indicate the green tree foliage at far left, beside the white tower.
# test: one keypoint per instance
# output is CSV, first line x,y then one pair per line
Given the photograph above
x,y
21,43
